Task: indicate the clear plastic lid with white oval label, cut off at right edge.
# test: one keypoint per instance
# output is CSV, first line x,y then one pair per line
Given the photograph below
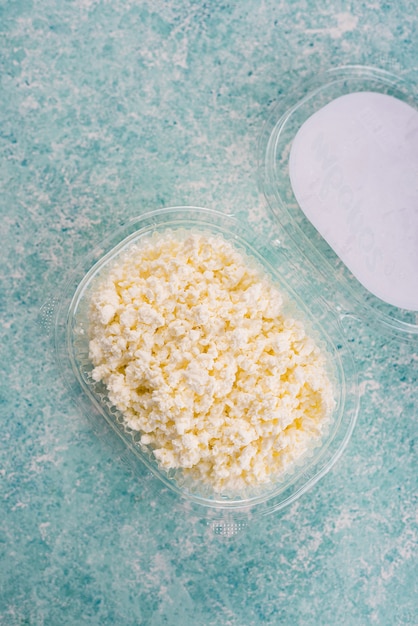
x,y
340,172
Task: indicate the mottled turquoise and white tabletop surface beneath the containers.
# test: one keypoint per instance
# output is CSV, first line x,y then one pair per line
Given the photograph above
x,y
108,109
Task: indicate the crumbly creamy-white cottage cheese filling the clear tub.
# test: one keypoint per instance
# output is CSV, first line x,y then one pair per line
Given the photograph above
x,y
192,344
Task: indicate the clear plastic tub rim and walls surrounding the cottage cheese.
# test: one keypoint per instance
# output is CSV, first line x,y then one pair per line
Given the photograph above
x,y
71,340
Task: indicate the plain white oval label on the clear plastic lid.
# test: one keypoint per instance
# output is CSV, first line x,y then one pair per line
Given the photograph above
x,y
353,169
